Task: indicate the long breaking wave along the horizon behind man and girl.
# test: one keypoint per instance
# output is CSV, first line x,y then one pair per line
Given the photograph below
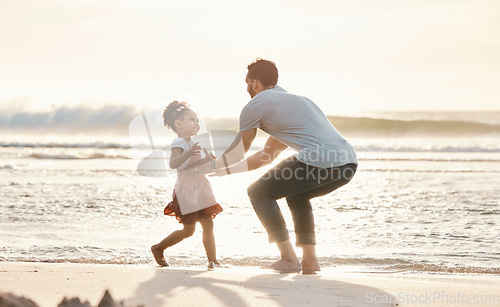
x,y
116,119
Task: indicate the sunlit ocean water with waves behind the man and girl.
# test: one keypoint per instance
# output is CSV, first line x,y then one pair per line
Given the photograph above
x,y
424,199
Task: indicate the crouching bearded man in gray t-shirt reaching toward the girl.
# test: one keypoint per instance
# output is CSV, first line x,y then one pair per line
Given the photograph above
x,y
324,162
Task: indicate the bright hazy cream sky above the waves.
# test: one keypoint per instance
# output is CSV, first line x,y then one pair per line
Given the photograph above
x,y
345,55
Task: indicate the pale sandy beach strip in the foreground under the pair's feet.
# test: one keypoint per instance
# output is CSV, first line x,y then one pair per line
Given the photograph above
x,y
47,284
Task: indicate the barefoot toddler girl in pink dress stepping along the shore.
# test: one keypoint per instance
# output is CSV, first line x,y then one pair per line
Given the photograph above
x,y
191,190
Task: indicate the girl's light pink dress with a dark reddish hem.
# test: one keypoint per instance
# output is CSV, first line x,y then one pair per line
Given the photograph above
x,y
193,191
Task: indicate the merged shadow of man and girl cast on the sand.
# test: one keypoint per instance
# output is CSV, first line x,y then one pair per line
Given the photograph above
x,y
233,287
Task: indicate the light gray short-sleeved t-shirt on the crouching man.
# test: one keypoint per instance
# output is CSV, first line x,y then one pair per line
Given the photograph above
x,y
297,122
